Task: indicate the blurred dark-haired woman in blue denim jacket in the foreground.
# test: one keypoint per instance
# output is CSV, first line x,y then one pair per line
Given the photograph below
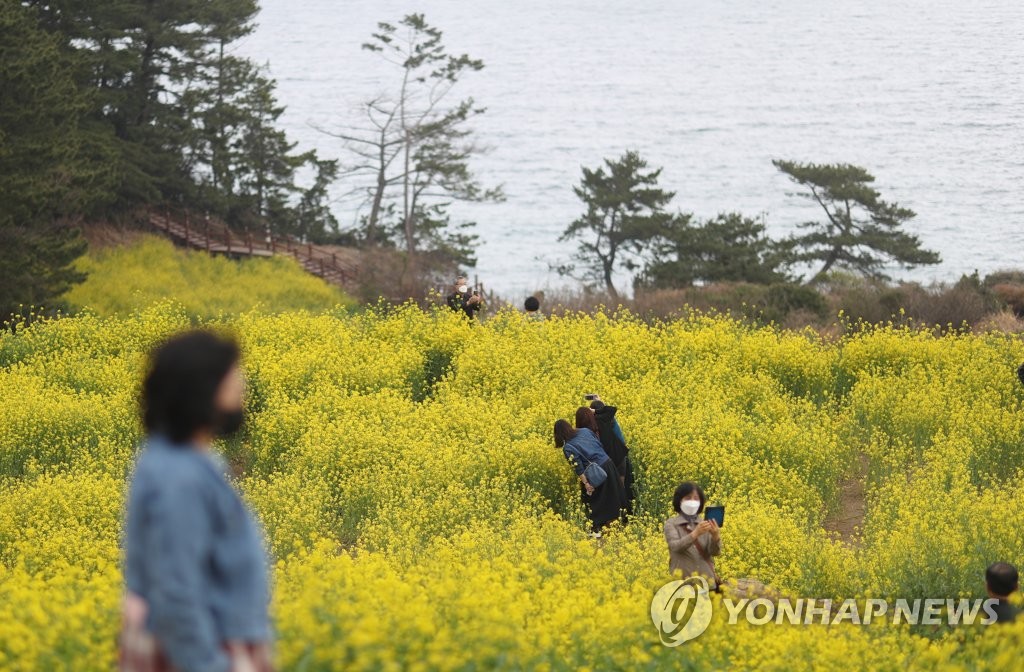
x,y
196,569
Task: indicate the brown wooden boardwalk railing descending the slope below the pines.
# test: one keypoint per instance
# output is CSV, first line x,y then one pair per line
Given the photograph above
x,y
216,238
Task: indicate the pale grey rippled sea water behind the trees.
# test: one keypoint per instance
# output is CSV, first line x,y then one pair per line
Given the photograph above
x,y
928,96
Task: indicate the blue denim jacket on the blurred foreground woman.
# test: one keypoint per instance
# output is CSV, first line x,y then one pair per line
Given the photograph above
x,y
195,554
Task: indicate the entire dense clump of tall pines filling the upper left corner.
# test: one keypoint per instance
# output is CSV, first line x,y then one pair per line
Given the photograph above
x,y
115,105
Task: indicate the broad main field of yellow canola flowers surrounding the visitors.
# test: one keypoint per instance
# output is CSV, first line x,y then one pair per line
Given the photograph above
x,y
419,517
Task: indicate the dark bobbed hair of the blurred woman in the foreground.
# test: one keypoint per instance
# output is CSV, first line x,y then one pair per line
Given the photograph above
x,y
181,389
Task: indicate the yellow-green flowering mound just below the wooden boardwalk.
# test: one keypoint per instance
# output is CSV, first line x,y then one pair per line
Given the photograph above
x,y
129,278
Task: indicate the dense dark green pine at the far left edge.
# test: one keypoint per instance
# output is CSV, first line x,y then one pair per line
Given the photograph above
x,y
51,164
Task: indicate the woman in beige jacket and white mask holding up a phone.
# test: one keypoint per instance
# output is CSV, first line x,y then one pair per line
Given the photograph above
x,y
693,542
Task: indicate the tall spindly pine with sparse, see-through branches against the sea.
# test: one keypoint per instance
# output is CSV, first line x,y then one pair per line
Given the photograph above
x,y
417,147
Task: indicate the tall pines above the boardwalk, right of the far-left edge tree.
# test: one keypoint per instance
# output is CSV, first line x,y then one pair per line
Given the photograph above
x,y
184,119
